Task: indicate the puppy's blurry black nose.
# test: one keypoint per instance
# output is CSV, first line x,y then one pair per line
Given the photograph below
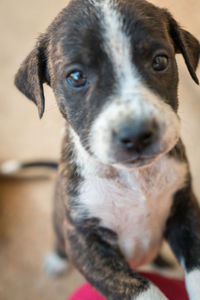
x,y
135,136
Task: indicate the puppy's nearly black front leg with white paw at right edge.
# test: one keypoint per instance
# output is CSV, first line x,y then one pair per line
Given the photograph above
x,y
183,235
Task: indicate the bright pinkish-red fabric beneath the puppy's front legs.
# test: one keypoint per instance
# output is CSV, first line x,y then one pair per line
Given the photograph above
x,y
173,289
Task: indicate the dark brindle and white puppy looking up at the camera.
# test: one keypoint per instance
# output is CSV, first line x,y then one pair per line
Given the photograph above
x,y
124,182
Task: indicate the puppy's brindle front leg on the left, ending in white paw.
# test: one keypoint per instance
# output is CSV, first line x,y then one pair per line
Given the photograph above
x,y
104,266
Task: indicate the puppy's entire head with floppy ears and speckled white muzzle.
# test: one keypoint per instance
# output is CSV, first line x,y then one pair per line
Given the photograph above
x,y
112,67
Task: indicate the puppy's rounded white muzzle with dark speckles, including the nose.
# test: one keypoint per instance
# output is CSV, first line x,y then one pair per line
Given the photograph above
x,y
134,133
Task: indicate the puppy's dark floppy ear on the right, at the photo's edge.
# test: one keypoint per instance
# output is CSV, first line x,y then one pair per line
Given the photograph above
x,y
186,44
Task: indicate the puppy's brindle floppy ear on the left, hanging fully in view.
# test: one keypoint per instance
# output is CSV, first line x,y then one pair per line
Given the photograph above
x,y
33,73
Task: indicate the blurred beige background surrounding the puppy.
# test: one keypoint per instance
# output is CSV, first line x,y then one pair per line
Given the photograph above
x,y
25,205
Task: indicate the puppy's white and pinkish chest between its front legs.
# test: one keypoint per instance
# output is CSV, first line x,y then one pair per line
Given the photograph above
x,y
135,205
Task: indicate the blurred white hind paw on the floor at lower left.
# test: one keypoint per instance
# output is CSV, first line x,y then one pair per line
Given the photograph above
x,y
55,265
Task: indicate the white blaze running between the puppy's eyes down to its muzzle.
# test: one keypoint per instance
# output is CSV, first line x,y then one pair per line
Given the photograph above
x,y
117,45
